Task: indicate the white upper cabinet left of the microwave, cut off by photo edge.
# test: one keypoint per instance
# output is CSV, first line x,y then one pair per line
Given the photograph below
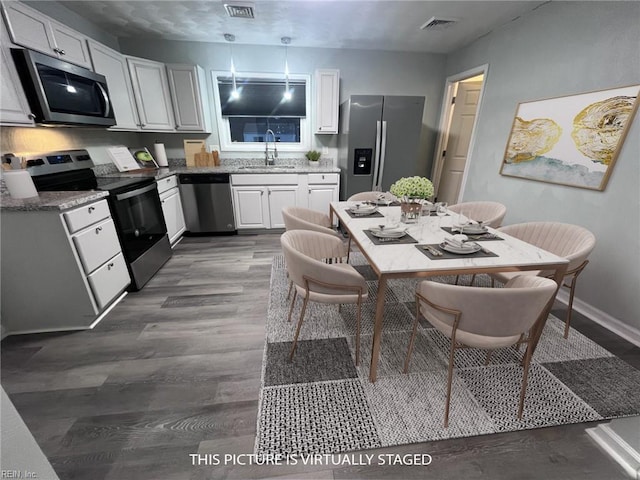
x,y
14,108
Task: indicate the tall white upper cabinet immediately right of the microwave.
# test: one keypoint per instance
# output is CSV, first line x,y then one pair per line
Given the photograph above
x,y
113,66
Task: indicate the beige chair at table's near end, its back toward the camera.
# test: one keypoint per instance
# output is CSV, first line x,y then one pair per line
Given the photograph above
x,y
484,318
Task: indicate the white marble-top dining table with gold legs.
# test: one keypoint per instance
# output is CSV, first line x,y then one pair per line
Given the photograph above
x,y
410,256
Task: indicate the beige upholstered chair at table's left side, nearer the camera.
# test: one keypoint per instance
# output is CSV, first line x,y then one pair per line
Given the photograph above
x,y
315,280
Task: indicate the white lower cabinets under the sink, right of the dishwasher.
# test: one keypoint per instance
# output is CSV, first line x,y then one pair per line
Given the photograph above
x,y
258,199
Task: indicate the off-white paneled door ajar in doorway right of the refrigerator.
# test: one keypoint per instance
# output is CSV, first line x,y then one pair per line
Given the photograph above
x,y
460,132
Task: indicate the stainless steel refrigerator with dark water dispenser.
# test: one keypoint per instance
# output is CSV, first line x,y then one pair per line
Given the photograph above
x,y
379,141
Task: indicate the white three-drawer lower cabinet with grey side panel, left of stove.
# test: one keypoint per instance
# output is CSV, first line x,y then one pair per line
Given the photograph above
x,y
63,277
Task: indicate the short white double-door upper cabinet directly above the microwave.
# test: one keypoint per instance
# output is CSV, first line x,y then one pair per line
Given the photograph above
x,y
36,31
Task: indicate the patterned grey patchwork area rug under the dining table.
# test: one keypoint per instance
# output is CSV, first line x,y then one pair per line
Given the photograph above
x,y
321,403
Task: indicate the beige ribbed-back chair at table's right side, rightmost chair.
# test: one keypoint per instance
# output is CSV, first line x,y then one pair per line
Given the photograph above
x,y
572,242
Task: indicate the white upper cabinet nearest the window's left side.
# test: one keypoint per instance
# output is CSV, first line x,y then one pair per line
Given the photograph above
x,y
187,84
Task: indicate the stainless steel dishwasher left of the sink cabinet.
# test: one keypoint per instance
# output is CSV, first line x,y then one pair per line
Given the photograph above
x,y
206,201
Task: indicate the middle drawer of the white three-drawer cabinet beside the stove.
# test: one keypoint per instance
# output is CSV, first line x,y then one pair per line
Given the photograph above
x,y
96,245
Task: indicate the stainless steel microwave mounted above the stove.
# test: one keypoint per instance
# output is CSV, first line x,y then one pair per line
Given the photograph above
x,y
60,93
